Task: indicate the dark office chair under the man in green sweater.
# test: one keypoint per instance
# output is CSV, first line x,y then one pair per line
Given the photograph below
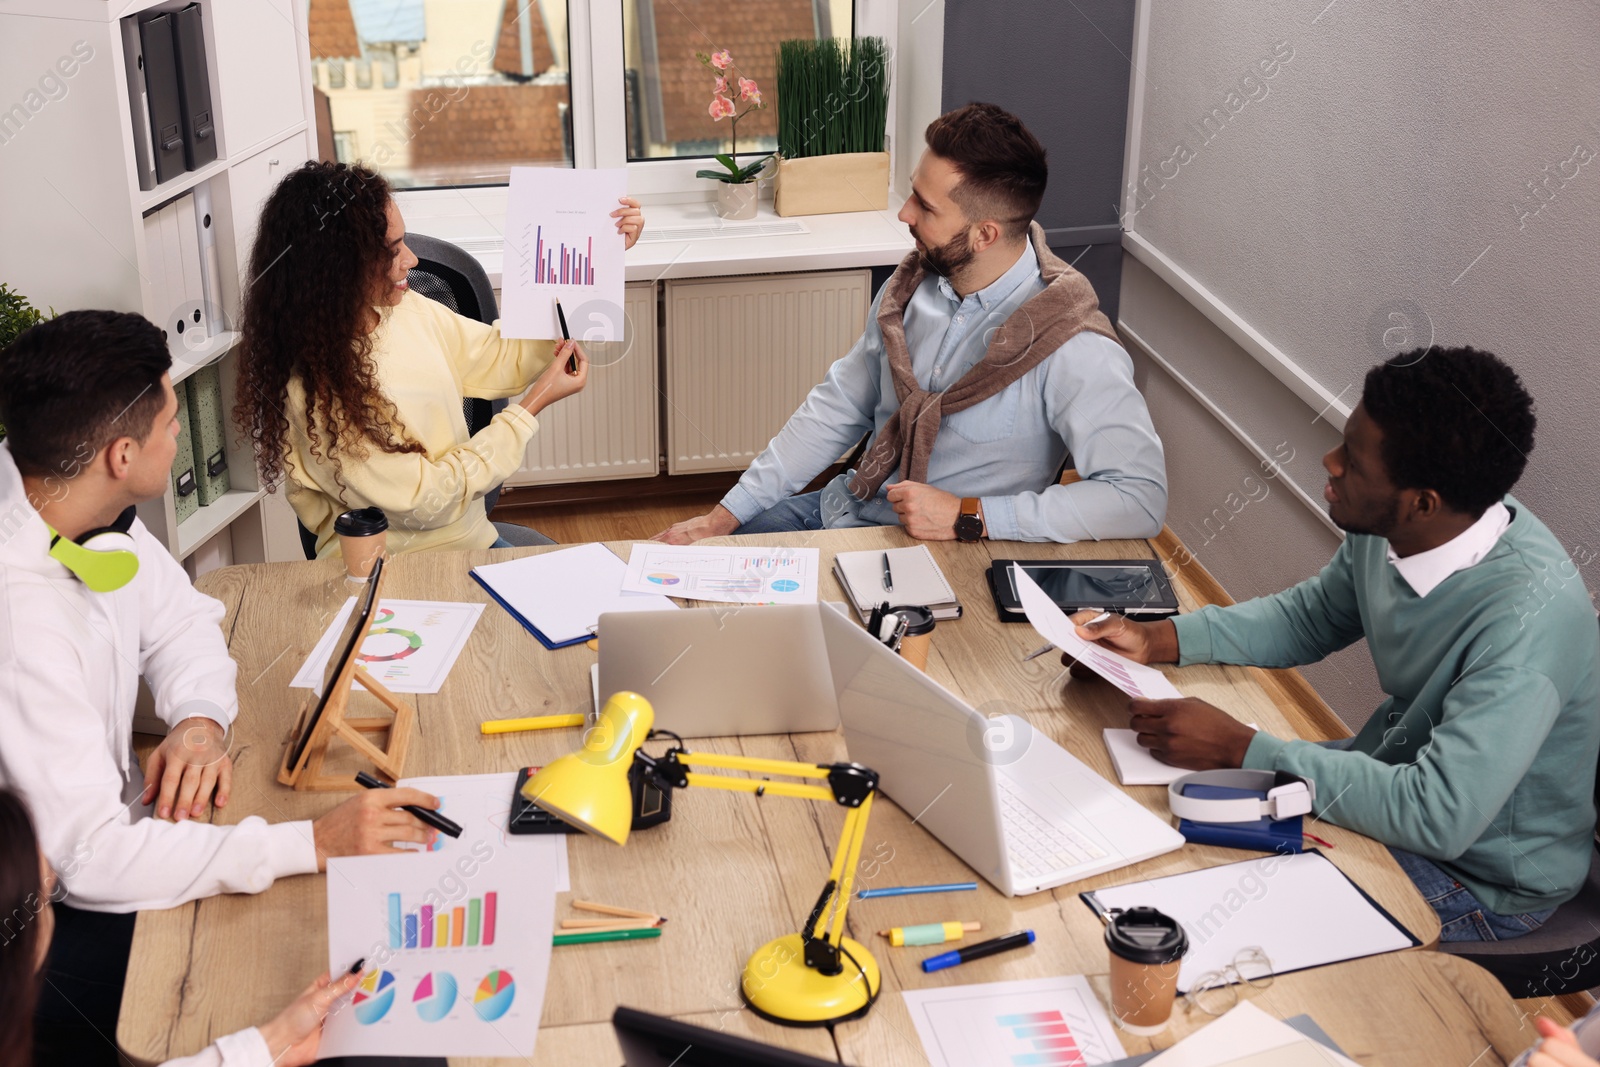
x,y
1561,957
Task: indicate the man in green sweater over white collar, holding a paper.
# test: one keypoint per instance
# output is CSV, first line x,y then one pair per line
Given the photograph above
x,y
1479,770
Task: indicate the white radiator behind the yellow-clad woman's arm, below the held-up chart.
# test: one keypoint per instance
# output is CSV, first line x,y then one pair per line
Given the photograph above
x,y
612,430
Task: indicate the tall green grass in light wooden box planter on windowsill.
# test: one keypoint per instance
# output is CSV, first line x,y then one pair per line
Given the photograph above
x,y
833,113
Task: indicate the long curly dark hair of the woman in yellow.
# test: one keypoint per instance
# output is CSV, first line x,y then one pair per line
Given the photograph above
x,y
321,255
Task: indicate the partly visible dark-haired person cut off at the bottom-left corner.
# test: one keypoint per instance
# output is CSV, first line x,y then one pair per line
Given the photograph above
x,y
28,889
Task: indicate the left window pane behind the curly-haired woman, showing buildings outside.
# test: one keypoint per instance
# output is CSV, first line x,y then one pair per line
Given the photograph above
x,y
446,94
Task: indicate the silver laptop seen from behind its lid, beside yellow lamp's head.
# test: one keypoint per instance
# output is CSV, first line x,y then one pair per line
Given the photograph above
x,y
722,673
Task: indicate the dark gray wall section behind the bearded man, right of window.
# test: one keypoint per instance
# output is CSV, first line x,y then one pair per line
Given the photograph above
x,y
1063,70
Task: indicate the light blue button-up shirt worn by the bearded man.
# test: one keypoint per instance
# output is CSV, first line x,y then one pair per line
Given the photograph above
x,y
1004,450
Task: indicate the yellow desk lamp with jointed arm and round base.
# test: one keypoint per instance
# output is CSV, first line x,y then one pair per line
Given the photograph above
x,y
591,791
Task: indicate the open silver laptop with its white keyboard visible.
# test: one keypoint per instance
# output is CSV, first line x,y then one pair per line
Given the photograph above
x,y
1017,807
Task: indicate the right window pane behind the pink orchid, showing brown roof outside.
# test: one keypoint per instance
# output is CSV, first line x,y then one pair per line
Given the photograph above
x,y
670,92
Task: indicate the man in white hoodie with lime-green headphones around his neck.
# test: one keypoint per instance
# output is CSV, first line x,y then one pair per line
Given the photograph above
x,y
90,418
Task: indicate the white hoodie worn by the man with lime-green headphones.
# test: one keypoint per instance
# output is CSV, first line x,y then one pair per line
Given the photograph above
x,y
70,669
